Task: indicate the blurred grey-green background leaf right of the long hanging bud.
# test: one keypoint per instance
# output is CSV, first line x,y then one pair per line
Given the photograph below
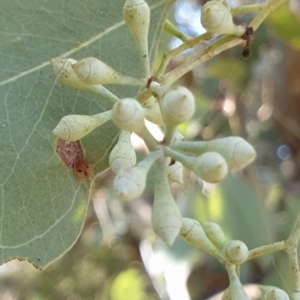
x,y
244,214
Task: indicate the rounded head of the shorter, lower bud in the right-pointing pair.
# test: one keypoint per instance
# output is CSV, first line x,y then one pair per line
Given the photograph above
x,y
210,167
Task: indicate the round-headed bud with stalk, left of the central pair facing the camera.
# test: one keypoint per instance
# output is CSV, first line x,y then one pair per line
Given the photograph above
x,y
128,115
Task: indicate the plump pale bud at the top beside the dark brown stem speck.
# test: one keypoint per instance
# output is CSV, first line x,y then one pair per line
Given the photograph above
x,y
216,18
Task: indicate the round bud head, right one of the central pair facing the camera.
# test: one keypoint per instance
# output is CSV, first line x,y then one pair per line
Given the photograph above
x,y
177,106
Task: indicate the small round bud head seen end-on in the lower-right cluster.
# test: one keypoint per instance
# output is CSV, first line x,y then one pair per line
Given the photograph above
x,y
235,252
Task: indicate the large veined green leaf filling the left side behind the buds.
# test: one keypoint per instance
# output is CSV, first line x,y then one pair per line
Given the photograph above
x,y
43,205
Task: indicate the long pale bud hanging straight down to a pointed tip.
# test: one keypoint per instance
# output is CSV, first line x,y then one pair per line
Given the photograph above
x,y
166,218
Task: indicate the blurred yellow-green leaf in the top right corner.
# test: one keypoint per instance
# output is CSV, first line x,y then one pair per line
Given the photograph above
x,y
285,25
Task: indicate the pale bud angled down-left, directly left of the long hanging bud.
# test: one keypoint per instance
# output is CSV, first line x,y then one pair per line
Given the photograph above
x,y
130,183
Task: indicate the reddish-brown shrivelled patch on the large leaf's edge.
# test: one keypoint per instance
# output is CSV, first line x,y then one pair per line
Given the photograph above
x,y
72,156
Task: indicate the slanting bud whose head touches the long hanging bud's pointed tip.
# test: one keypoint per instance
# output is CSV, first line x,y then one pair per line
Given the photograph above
x,y
193,233
